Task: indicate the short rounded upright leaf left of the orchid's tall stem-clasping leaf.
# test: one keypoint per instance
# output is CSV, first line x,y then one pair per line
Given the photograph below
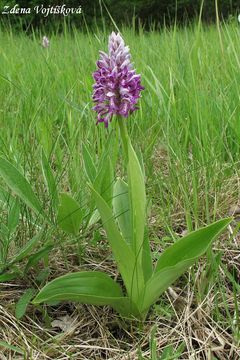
x,y
121,209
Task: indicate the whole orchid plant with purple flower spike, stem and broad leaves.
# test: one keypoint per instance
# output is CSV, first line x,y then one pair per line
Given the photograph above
x,y
117,89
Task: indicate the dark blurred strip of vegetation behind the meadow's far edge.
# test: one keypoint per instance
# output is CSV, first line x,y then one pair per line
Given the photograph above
x,y
148,13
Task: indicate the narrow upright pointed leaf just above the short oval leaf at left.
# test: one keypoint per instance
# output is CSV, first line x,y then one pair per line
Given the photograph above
x,y
49,179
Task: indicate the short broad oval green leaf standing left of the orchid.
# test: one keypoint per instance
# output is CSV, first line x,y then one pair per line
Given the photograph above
x,y
69,214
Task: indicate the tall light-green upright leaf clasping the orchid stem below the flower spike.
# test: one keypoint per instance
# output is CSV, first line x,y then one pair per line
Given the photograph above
x,y
137,201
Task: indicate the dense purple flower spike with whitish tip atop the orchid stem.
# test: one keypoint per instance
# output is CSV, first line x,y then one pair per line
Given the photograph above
x,y
117,87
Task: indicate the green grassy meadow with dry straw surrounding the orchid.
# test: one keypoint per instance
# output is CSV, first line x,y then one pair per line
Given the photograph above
x,y
188,131
